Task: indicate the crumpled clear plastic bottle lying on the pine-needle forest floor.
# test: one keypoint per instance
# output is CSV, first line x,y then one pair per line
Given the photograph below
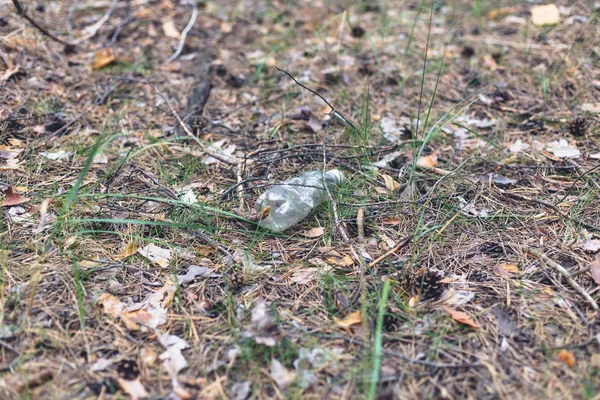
x,y
294,199
